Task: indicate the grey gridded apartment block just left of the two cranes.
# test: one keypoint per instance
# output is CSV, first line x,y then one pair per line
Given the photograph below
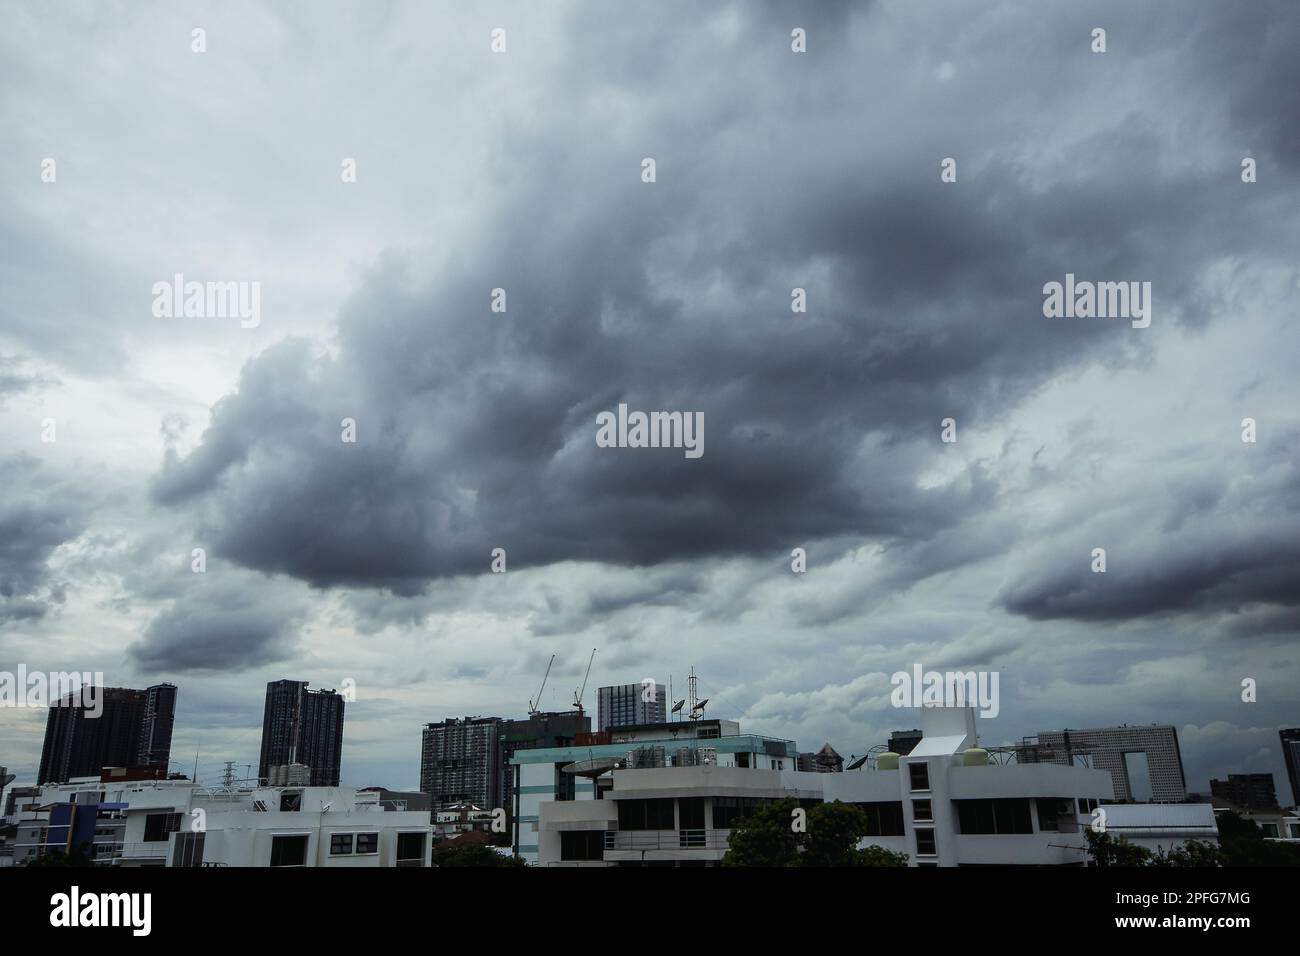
x,y
461,762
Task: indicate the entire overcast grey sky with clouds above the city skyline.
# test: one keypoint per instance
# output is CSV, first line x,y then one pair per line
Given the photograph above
x,y
476,430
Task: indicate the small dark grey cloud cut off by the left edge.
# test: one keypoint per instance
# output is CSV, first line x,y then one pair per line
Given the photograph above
x,y
38,514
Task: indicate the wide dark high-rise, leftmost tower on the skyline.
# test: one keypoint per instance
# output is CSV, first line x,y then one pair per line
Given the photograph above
x,y
80,743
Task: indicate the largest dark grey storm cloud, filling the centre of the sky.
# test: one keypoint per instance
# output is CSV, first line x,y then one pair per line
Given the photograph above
x,y
476,431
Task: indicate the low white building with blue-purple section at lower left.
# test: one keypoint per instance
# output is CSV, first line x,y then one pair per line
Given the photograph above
x,y
179,824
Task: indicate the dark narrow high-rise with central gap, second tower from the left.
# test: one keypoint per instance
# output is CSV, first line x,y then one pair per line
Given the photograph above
x,y
301,726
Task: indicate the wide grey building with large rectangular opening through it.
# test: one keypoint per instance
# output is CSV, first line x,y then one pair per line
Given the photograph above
x,y
1145,763
